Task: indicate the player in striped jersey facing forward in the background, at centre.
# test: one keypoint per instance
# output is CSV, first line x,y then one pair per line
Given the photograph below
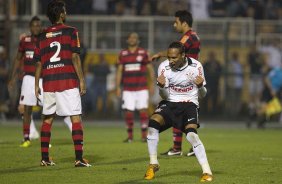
x,y
133,66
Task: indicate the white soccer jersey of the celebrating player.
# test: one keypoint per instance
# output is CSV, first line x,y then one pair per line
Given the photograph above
x,y
180,83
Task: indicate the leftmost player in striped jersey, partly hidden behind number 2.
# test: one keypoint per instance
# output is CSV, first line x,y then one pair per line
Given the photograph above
x,y
28,99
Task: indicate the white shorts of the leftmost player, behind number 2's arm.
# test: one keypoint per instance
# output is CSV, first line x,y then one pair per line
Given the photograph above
x,y
28,92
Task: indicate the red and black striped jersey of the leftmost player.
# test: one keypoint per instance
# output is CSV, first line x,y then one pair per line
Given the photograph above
x,y
27,47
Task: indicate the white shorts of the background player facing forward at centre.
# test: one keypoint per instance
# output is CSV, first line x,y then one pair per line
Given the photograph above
x,y
135,100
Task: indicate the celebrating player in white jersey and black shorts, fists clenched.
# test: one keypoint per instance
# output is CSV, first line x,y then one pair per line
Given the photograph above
x,y
181,80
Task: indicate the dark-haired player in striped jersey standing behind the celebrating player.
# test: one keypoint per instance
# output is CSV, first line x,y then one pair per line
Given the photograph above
x,y
182,24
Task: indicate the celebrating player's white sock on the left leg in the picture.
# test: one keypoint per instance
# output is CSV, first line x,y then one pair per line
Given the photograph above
x,y
152,141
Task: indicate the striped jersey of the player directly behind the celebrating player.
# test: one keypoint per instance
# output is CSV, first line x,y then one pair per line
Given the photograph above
x,y
192,44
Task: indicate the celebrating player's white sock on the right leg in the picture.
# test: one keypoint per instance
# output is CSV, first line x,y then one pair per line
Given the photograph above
x,y
200,151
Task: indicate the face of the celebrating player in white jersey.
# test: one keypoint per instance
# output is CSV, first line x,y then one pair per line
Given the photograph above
x,y
175,58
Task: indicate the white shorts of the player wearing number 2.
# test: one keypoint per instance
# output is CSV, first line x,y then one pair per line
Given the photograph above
x,y
64,103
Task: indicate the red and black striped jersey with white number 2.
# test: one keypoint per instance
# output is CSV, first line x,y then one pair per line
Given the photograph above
x,y
57,43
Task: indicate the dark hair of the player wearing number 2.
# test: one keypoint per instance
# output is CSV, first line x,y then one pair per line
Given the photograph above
x,y
54,10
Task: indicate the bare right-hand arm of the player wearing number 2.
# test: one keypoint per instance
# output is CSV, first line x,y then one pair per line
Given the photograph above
x,y
77,66
